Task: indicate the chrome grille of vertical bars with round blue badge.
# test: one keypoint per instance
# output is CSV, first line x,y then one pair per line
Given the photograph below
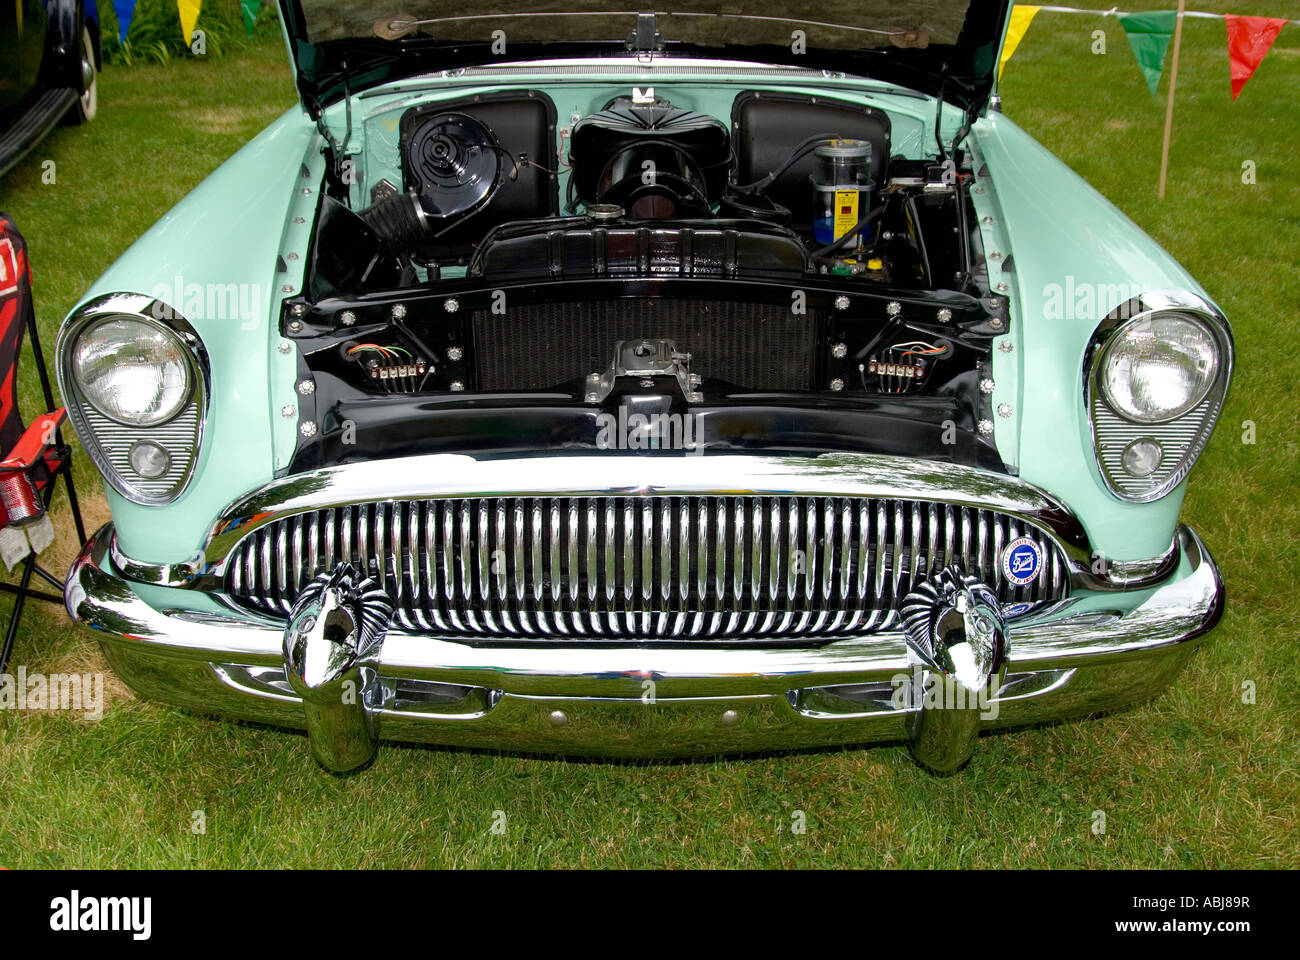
x,y
640,568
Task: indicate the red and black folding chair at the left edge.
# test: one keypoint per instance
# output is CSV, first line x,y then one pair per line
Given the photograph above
x,y
36,456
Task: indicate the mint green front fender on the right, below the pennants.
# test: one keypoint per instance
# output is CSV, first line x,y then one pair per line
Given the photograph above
x,y
1069,258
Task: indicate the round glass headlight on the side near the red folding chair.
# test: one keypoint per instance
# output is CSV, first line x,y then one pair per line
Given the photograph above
x,y
132,371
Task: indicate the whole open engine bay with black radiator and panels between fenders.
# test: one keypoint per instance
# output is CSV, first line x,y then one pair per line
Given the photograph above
x,y
651,257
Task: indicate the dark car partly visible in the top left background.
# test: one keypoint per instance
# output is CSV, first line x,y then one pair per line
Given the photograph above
x,y
50,59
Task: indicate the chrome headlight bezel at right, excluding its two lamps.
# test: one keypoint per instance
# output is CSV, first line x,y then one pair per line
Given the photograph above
x,y
1182,438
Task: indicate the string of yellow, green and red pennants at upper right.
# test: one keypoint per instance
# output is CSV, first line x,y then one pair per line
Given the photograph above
x,y
1249,38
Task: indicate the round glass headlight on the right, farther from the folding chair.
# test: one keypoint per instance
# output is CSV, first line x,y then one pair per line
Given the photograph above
x,y
1159,367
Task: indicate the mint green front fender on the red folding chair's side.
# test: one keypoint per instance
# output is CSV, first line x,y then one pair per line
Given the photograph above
x,y
216,258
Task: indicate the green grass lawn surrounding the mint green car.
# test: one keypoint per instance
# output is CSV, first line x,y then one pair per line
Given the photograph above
x,y
1195,779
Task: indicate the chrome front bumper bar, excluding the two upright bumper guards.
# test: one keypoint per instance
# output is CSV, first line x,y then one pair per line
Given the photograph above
x,y
1093,652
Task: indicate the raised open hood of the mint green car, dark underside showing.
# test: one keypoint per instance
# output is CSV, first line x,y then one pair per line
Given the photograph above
x,y
939,47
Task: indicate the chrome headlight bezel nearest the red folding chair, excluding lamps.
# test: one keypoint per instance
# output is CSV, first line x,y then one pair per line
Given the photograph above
x,y
109,440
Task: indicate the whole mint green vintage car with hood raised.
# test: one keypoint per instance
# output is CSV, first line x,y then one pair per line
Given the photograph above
x,y
643,386
